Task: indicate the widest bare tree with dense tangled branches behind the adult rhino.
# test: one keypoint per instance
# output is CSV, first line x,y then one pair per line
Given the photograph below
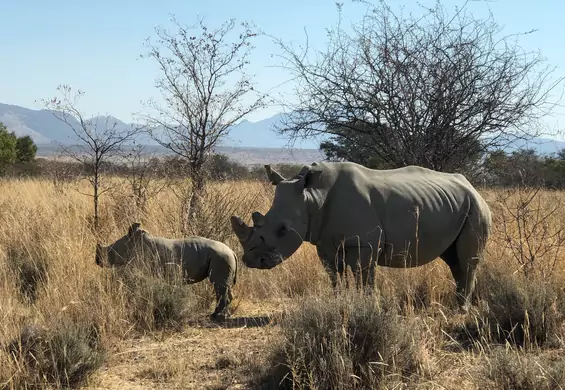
x,y
432,91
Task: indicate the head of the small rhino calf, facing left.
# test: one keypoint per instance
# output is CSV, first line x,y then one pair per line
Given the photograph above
x,y
122,250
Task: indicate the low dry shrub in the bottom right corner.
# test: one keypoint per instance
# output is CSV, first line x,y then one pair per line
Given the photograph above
x,y
513,370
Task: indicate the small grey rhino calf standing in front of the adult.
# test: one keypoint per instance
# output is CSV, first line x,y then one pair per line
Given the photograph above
x,y
199,257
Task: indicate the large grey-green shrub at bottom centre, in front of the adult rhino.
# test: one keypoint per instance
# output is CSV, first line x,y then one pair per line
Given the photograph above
x,y
355,341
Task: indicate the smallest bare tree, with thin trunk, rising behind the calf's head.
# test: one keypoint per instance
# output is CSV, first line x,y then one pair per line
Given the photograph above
x,y
99,140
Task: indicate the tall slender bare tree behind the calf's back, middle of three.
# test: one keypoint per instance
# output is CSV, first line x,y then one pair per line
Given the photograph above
x,y
206,90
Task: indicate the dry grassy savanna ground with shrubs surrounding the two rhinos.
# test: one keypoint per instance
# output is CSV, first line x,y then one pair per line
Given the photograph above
x,y
67,322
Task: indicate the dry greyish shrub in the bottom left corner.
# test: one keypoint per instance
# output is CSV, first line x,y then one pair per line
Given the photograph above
x,y
64,354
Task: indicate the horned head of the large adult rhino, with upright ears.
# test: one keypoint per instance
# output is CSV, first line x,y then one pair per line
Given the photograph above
x,y
275,236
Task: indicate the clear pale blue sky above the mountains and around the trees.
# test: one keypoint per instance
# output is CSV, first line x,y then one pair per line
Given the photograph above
x,y
95,45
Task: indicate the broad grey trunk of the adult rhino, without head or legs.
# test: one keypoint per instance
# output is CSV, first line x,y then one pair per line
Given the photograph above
x,y
398,206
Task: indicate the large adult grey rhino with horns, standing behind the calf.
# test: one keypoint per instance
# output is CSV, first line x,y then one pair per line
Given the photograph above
x,y
359,217
